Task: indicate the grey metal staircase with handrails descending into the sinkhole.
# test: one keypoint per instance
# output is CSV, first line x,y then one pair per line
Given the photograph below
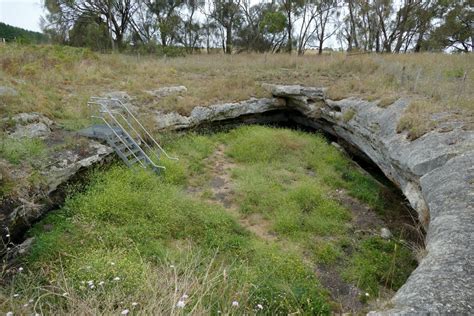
x,y
125,134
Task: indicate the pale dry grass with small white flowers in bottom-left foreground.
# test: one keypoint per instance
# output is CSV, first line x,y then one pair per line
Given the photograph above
x,y
200,281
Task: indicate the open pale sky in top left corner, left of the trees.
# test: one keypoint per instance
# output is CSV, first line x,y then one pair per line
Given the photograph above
x,y
22,13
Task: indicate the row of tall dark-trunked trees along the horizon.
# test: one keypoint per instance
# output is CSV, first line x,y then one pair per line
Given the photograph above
x,y
389,26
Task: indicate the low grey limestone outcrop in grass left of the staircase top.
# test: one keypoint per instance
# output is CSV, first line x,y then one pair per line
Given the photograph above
x,y
29,125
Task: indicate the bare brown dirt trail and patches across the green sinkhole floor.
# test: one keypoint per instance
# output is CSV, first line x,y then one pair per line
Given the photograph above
x,y
346,296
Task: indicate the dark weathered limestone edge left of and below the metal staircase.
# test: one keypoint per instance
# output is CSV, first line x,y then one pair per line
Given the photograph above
x,y
27,203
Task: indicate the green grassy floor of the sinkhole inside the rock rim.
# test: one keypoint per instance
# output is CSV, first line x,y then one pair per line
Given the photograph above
x,y
243,223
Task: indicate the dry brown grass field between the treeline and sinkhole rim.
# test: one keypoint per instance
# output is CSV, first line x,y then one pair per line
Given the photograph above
x,y
58,81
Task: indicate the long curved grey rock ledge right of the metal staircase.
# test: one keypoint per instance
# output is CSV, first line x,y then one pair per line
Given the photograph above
x,y
435,172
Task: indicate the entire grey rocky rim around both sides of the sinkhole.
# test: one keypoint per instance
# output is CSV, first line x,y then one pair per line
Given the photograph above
x,y
435,173
